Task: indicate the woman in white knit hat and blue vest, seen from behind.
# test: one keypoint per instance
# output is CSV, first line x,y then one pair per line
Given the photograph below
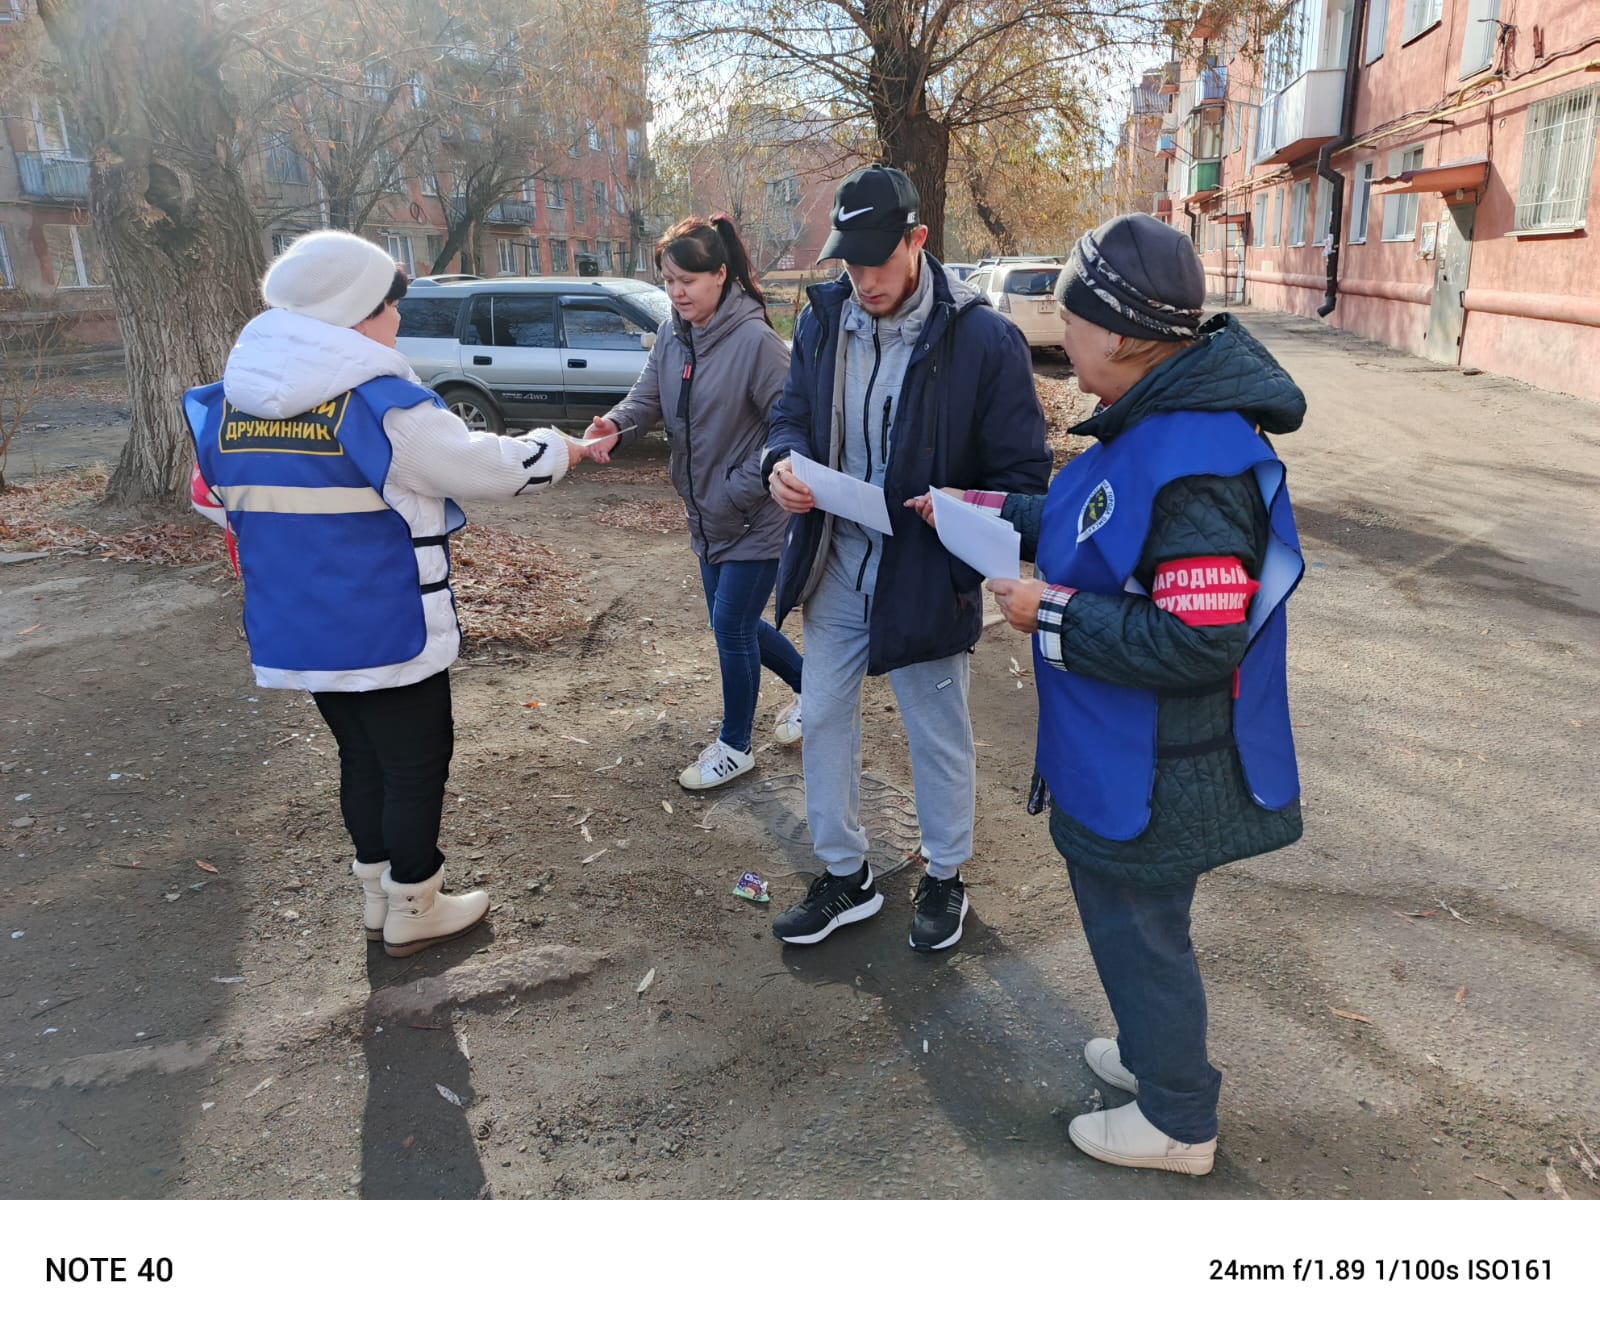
x,y
338,474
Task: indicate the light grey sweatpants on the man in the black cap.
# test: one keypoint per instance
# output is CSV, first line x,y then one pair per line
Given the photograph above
x,y
932,700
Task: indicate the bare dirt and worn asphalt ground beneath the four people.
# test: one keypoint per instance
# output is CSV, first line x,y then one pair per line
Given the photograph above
x,y
1402,1004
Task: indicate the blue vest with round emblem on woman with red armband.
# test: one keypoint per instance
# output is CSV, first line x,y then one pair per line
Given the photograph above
x,y
1097,742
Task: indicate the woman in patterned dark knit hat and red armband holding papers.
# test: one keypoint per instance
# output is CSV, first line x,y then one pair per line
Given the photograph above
x,y
1162,559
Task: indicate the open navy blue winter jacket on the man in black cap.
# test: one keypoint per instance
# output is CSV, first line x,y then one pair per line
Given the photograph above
x,y
970,418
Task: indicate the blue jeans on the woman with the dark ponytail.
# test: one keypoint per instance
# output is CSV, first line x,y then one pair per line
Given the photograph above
x,y
737,594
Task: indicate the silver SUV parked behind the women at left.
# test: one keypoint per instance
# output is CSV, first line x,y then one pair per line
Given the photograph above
x,y
527,353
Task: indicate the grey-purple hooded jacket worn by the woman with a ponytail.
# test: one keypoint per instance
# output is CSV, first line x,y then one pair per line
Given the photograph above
x,y
716,420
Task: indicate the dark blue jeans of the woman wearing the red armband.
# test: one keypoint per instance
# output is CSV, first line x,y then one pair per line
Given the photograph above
x,y
1140,940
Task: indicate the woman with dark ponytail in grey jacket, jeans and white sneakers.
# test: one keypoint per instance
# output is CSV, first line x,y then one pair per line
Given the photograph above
x,y
713,377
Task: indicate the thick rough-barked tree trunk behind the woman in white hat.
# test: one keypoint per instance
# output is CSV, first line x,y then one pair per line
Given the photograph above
x,y
170,212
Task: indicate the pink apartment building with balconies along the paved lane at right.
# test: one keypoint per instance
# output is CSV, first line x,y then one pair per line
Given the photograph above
x,y
1454,212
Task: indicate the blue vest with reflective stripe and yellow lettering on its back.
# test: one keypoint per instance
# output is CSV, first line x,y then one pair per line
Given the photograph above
x,y
329,566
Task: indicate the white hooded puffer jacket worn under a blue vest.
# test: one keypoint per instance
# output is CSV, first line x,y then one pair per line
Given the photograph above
x,y
284,366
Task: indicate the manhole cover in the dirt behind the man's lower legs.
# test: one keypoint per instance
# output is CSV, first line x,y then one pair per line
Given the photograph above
x,y
774,814
